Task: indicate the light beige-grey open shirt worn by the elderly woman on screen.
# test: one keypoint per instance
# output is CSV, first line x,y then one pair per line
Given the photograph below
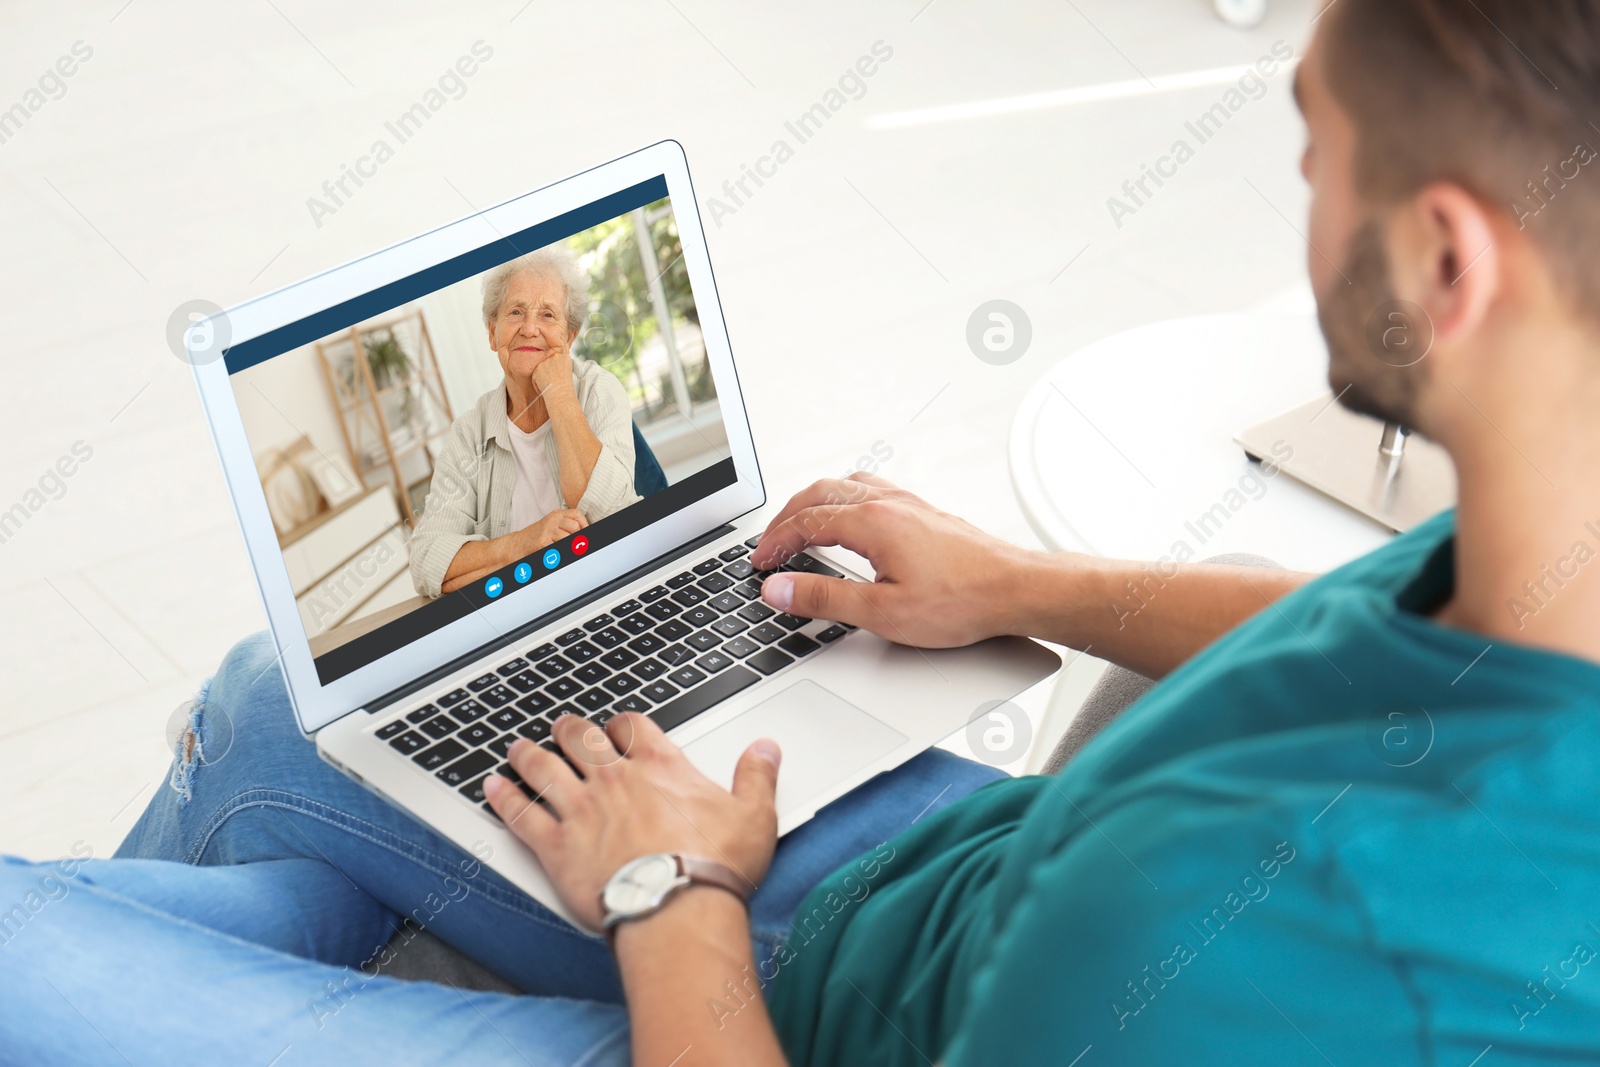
x,y
470,498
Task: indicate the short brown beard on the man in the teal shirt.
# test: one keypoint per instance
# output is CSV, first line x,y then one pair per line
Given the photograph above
x,y
1366,375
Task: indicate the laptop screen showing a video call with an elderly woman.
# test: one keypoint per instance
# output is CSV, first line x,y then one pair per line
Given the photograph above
x,y
458,436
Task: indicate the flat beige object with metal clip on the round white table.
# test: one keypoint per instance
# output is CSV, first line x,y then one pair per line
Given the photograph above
x,y
1380,470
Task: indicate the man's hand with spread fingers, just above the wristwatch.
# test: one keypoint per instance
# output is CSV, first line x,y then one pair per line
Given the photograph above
x,y
634,794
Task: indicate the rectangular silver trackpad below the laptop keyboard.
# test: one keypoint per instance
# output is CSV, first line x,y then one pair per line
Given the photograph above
x,y
823,737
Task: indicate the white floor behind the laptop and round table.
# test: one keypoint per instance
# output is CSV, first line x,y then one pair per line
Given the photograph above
x,y
180,159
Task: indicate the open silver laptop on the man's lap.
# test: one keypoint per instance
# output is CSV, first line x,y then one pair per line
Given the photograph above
x,y
334,402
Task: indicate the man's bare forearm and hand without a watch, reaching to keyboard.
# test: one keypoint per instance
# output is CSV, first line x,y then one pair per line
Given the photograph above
x,y
945,583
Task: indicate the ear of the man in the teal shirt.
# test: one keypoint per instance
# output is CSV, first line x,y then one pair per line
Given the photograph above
x,y
1444,258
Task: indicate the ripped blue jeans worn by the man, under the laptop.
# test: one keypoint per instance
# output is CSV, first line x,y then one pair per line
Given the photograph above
x,y
244,916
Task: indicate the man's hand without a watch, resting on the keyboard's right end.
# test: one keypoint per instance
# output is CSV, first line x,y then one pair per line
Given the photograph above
x,y
940,580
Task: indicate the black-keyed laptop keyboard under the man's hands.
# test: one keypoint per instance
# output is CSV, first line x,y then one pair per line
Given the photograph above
x,y
674,652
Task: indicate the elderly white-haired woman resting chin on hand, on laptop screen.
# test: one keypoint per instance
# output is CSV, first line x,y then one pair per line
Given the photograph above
x,y
542,455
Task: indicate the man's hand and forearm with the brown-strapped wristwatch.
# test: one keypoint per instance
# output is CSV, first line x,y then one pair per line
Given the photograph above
x,y
623,793
